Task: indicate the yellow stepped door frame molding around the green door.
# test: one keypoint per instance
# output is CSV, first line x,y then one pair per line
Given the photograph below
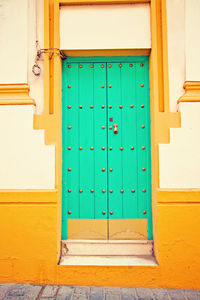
x,y
161,118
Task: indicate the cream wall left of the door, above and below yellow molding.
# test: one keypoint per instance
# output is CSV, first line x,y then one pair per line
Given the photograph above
x,y
26,162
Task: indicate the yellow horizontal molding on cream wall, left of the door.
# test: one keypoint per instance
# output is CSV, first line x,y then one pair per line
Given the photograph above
x,y
15,94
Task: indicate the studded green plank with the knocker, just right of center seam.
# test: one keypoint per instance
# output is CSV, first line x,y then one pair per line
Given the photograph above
x,y
115,183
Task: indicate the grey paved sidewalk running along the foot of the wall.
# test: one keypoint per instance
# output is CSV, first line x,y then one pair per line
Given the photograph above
x,y
53,292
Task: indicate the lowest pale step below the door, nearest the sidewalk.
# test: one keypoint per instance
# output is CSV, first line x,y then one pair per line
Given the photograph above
x,y
108,261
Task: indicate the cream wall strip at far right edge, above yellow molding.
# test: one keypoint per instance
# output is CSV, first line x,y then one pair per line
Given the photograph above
x,y
192,41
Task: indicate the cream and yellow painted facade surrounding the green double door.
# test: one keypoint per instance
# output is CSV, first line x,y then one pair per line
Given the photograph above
x,y
30,159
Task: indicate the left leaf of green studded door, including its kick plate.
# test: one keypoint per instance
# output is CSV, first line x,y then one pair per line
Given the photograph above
x,y
84,114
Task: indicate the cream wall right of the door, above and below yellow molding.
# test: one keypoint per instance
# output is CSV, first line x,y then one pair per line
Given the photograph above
x,y
180,160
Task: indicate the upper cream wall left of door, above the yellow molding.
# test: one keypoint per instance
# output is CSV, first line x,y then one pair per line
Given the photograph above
x,y
19,30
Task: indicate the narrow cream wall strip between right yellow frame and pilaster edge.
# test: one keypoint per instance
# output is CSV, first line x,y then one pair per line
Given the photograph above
x,y
176,50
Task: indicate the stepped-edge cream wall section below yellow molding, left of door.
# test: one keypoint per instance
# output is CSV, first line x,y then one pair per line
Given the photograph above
x,y
26,162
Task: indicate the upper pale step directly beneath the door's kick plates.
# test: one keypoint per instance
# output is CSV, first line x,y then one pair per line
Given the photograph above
x,y
107,248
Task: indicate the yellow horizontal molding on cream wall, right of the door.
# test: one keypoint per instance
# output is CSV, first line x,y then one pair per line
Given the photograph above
x,y
192,92
